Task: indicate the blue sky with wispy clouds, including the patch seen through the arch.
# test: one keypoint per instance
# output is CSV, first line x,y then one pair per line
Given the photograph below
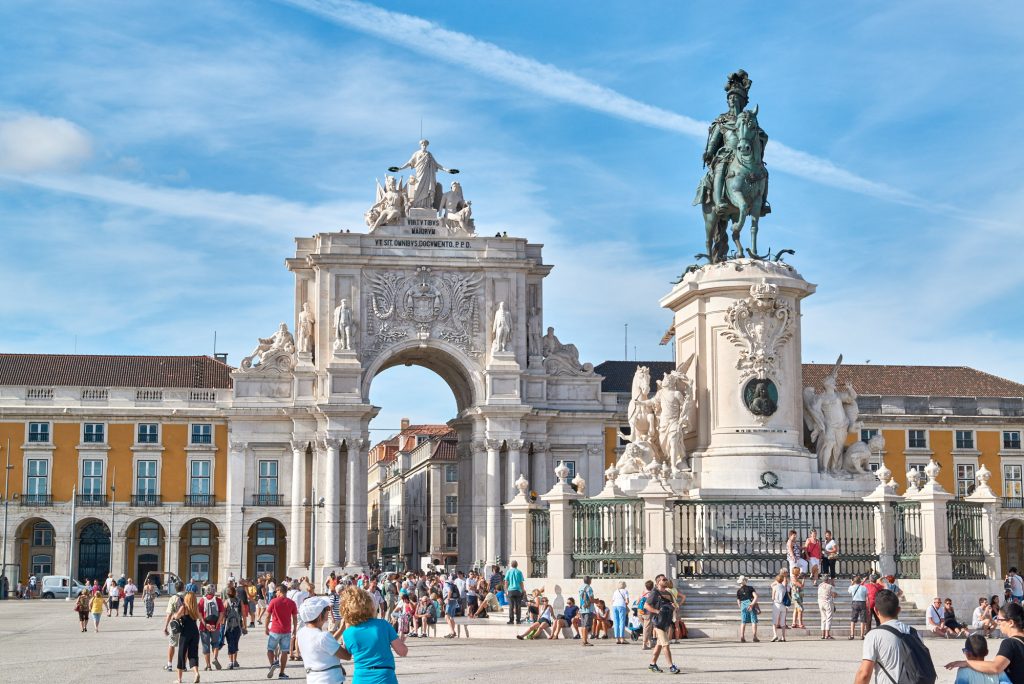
x,y
156,163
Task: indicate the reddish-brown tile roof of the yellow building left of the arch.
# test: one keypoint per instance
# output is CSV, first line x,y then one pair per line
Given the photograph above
x,y
114,371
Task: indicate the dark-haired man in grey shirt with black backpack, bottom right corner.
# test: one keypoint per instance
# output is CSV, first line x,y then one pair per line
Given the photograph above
x,y
894,653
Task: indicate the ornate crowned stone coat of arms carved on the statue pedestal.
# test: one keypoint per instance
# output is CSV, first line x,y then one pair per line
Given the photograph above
x,y
760,326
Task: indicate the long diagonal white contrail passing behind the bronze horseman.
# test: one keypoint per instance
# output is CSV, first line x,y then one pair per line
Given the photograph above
x,y
491,61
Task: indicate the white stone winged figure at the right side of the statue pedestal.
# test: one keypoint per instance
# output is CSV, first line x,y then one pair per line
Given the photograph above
x,y
832,416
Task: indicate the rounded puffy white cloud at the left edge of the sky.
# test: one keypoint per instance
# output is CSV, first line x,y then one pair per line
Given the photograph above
x,y
31,144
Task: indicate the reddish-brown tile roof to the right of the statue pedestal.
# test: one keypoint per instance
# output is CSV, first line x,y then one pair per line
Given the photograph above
x,y
916,380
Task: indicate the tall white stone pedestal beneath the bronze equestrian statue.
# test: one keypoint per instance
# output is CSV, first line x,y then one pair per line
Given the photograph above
x,y
742,320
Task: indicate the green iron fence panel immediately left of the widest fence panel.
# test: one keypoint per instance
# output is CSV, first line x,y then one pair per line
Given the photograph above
x,y
608,540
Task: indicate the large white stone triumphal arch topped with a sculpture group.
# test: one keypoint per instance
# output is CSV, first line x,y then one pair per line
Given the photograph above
x,y
419,284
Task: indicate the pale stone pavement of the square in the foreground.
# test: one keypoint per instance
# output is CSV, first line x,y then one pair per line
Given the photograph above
x,y
40,643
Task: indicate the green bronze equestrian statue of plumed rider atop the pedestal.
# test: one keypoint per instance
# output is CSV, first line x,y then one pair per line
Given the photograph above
x,y
736,186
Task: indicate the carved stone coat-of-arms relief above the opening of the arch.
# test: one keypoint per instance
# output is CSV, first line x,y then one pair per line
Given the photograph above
x,y
423,305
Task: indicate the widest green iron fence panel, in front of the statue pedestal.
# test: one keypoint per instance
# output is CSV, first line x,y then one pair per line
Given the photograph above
x,y
727,539
